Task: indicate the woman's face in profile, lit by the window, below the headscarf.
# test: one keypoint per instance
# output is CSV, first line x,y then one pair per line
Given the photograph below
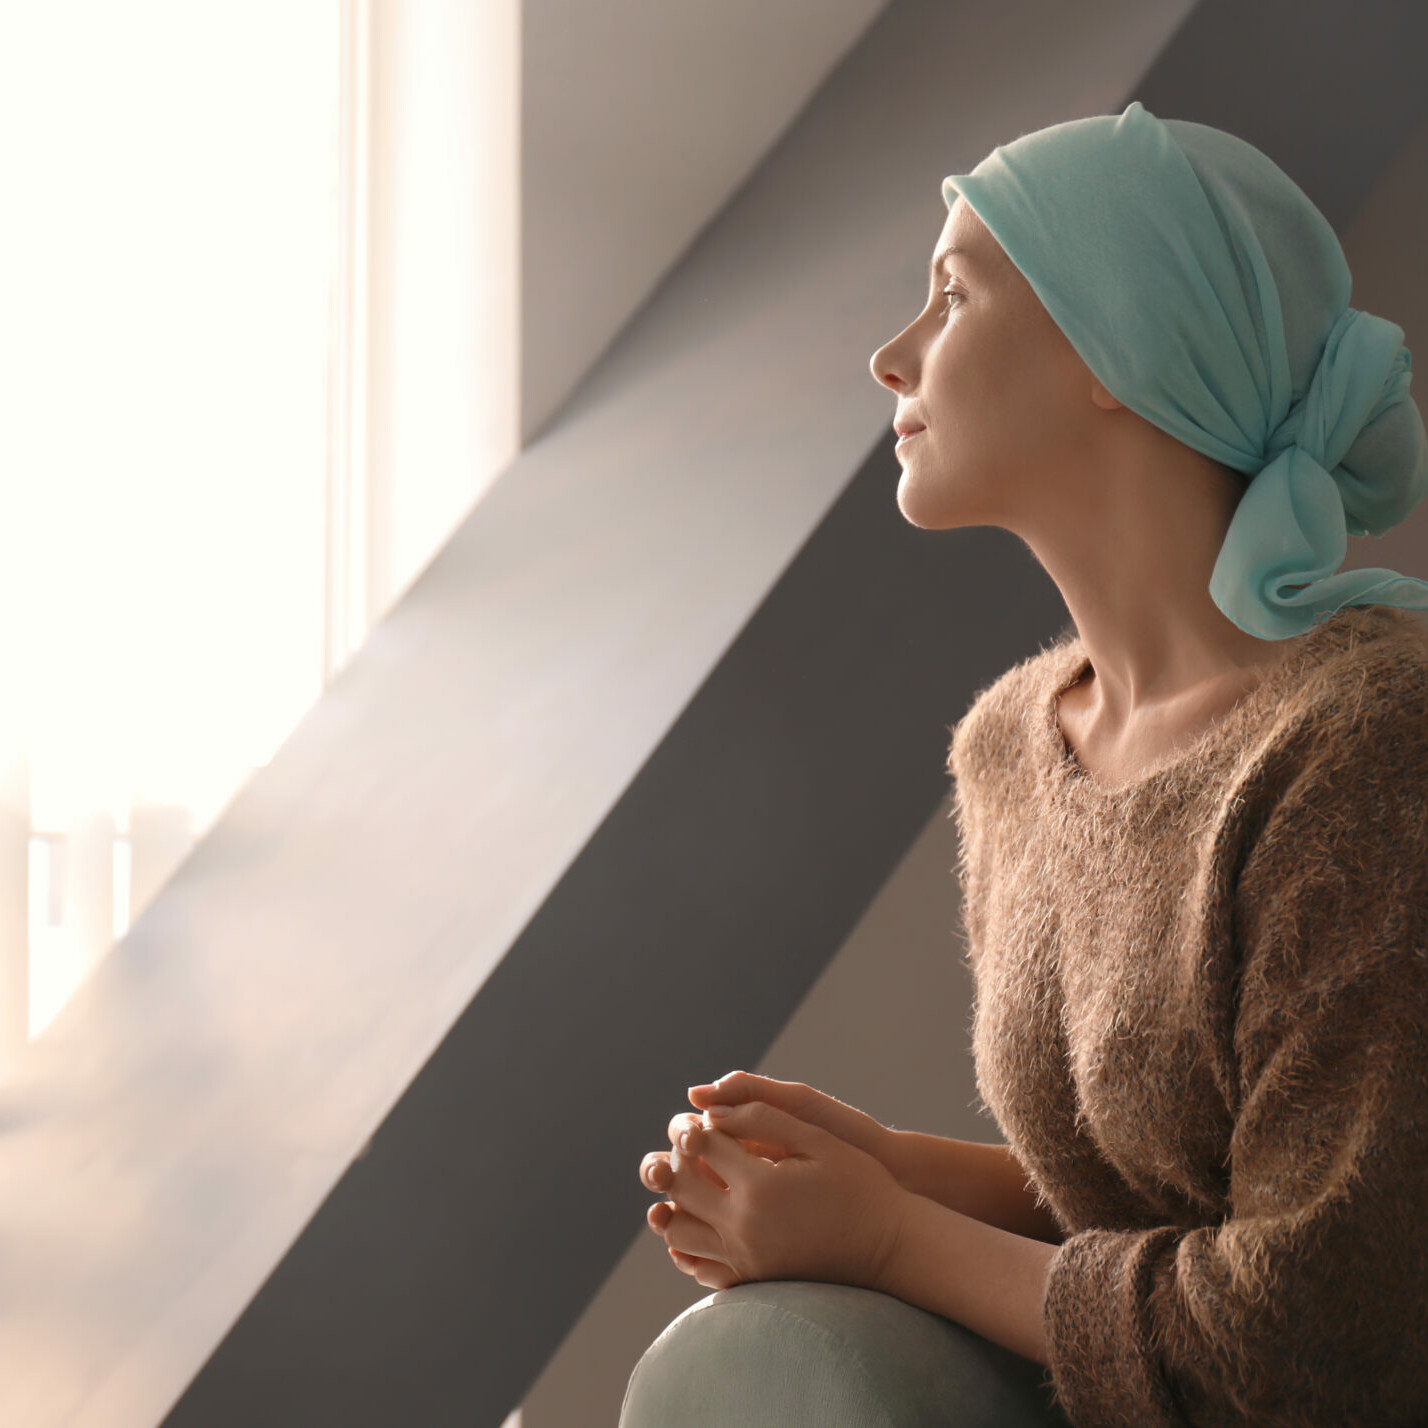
x,y
1003,398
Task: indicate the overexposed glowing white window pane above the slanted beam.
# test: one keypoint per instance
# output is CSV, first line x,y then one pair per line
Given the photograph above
x,y
171,175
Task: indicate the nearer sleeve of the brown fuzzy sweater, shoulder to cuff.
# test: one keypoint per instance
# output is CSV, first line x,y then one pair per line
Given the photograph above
x,y
1307,1303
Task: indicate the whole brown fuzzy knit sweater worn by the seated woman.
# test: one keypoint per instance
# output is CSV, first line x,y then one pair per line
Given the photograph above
x,y
1202,1023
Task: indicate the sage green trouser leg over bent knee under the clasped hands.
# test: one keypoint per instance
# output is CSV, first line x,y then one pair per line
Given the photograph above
x,y
799,1354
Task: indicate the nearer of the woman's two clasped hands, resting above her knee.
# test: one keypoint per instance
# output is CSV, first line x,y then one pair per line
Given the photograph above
x,y
819,1210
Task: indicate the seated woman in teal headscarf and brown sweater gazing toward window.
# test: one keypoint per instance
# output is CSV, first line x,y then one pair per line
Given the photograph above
x,y
1195,859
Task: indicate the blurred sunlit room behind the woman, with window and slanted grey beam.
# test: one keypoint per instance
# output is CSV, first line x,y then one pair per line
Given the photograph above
x,y
468,678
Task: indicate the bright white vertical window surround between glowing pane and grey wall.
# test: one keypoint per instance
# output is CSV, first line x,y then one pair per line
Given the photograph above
x,y
442,275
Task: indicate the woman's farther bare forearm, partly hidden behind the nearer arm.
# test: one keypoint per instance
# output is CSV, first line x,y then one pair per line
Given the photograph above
x,y
986,1183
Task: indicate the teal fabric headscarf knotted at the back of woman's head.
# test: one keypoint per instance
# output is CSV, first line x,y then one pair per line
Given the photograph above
x,y
1207,293
